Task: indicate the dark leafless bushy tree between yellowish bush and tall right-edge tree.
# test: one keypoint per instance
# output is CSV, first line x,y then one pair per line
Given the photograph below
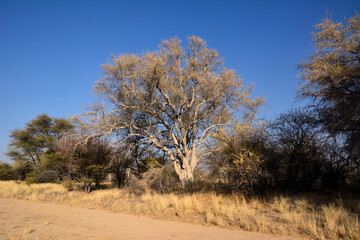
x,y
300,150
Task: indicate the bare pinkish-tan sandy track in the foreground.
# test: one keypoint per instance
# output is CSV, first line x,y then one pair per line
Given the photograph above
x,y
21,219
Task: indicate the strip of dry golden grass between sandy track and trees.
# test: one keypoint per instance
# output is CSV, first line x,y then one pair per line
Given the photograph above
x,y
280,215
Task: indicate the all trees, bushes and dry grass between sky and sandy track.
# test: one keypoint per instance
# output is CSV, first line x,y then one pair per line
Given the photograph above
x,y
174,135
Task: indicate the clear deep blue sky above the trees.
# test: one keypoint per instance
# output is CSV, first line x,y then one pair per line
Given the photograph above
x,y
51,51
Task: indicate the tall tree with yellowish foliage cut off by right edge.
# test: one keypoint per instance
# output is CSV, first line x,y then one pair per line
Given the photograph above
x,y
330,77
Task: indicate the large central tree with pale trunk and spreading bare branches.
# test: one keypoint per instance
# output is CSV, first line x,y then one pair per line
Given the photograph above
x,y
172,98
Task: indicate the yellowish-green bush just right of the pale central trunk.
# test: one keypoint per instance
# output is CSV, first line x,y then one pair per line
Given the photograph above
x,y
239,157
